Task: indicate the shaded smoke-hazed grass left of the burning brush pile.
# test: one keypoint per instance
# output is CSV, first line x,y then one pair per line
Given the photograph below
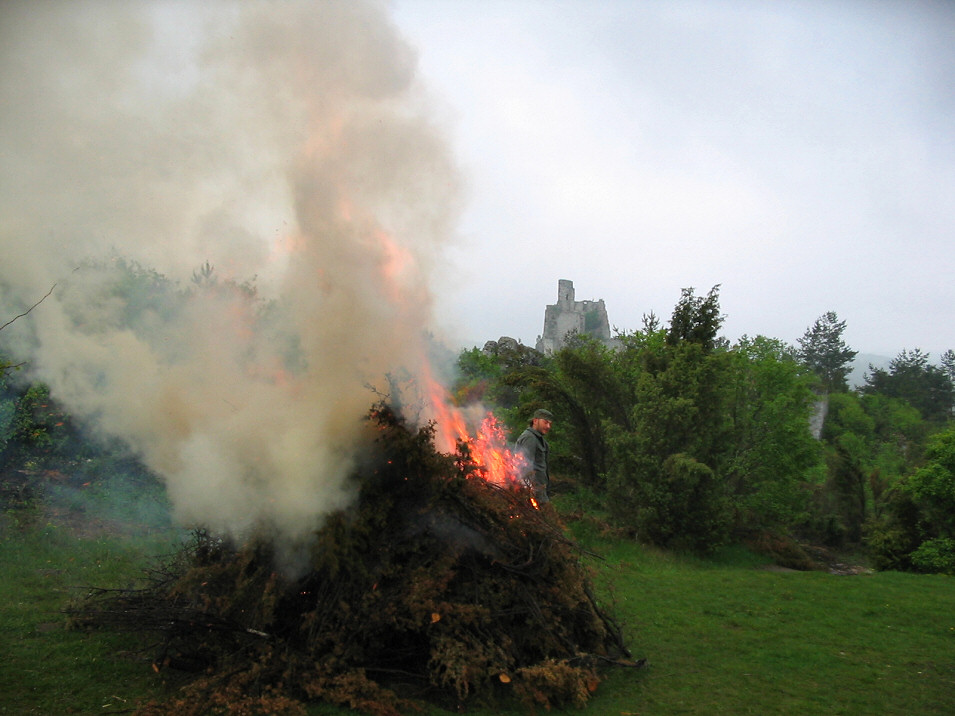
x,y
46,668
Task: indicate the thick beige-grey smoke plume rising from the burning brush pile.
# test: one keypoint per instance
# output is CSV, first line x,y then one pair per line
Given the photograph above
x,y
286,147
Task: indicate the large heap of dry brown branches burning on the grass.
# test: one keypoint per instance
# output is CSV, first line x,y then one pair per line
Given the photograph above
x,y
437,585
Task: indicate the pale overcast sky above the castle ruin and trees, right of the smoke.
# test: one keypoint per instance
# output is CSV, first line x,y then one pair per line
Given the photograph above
x,y
799,154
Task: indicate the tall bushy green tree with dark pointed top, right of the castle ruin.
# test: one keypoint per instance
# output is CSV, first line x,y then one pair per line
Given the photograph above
x,y
664,478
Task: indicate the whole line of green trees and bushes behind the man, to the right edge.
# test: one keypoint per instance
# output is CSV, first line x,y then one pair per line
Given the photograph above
x,y
689,442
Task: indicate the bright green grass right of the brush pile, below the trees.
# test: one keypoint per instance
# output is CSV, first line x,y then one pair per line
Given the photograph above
x,y
739,639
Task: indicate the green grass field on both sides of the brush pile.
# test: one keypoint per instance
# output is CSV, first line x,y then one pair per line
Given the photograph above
x,y
724,636
